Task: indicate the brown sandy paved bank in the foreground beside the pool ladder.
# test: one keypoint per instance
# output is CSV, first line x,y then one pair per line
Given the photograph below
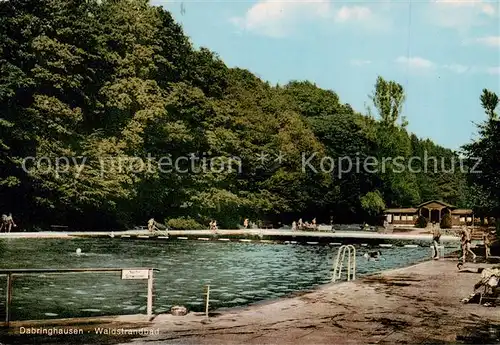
x,y
413,304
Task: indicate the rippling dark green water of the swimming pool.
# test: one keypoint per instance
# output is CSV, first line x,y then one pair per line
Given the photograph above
x,y
238,273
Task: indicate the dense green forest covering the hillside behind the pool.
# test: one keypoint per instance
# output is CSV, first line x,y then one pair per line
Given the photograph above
x,y
91,83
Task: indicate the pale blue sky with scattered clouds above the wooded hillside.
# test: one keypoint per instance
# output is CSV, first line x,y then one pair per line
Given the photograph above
x,y
443,52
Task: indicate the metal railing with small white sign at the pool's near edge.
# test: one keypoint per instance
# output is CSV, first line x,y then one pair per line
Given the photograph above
x,y
126,274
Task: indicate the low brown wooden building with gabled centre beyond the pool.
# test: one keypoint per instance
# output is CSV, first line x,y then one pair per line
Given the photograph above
x,y
433,210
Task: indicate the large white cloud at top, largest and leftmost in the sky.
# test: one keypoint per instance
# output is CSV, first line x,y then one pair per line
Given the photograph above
x,y
278,18
